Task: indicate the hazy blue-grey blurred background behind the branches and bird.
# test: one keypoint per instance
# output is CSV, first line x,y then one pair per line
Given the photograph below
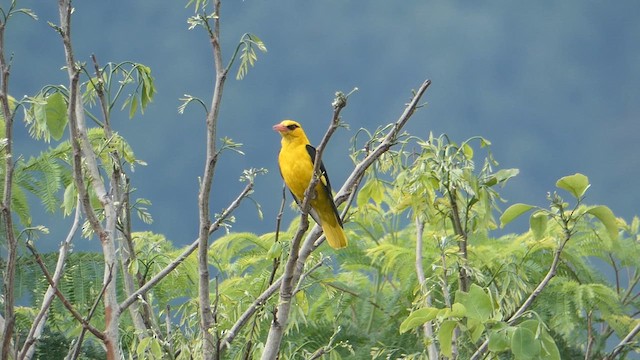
x,y
553,85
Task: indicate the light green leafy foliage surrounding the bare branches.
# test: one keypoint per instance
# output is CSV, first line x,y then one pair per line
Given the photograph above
x,y
427,269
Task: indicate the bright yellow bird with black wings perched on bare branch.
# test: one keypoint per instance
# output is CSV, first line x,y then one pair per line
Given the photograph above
x,y
296,162
